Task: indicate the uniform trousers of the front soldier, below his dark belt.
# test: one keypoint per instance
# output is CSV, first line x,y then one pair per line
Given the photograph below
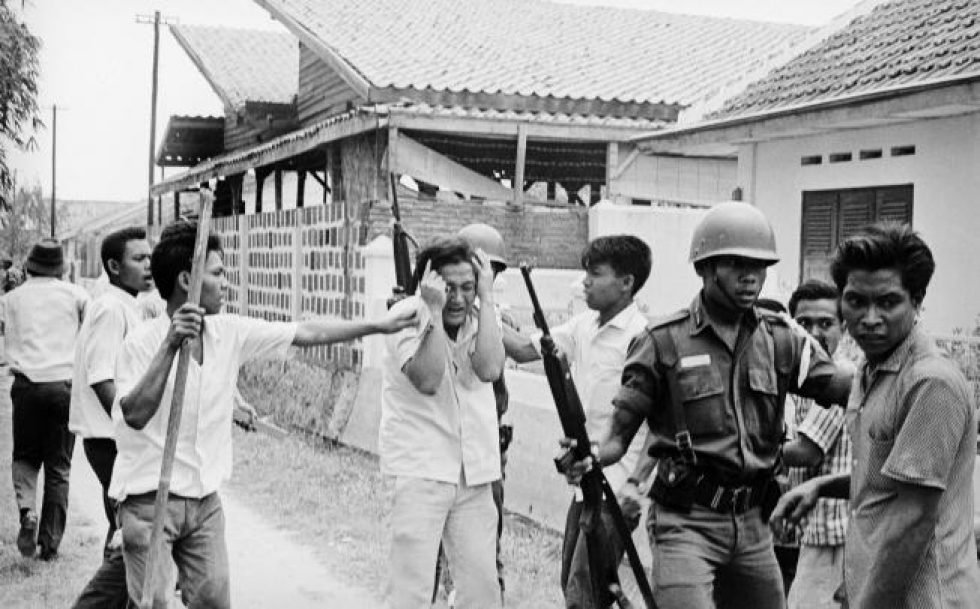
x,y
703,555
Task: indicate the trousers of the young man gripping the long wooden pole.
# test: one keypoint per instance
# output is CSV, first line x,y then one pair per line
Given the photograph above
x,y
193,534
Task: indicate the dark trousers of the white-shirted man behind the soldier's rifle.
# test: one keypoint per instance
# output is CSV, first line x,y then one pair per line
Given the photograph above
x,y
576,580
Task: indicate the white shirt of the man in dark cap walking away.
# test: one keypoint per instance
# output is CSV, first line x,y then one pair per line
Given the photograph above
x,y
41,320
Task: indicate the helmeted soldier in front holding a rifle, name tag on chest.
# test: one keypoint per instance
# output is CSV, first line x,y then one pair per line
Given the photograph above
x,y
711,380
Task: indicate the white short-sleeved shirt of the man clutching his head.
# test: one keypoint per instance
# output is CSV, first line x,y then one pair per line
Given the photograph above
x,y
437,436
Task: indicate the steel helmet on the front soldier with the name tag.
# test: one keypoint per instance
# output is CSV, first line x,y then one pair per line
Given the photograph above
x,y
733,228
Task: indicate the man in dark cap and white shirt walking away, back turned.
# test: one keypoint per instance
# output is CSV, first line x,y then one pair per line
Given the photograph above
x,y
41,322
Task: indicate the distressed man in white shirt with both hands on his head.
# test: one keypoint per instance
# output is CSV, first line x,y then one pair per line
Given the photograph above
x,y
439,437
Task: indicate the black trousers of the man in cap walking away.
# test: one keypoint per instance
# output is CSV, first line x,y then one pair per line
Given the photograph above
x,y
42,439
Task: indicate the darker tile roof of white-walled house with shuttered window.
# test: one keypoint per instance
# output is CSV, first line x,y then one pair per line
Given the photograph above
x,y
897,44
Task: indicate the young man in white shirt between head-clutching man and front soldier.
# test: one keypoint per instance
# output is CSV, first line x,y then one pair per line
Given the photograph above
x,y
595,343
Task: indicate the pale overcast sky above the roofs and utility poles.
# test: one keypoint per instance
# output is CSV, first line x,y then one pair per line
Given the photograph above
x,y
96,66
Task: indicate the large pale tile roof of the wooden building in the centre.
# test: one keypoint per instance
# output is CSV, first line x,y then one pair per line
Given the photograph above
x,y
537,48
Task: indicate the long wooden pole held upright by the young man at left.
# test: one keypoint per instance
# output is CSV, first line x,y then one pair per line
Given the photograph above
x,y
176,405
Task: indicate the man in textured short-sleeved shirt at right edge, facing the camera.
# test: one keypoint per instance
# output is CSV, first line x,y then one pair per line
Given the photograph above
x,y
912,425
